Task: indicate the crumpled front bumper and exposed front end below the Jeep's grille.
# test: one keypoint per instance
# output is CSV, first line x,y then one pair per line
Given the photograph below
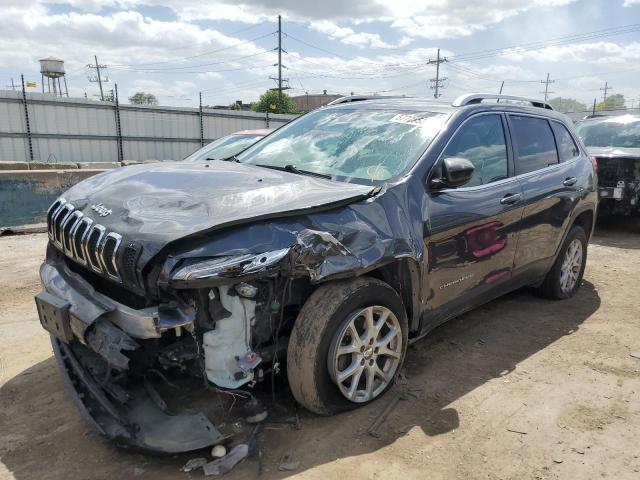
x,y
135,372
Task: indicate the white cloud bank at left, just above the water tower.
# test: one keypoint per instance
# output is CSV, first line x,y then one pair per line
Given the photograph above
x,y
120,38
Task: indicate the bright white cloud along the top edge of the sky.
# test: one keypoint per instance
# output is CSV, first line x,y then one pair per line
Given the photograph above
x,y
433,19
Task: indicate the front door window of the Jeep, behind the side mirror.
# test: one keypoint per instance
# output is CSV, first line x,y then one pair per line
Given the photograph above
x,y
481,141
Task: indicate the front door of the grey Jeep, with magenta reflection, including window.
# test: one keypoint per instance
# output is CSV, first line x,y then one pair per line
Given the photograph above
x,y
472,231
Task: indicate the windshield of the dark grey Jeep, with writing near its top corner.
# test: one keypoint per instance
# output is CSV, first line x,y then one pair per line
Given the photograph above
x,y
350,144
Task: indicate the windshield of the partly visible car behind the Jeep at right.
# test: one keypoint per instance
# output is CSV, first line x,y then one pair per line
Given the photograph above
x,y
620,132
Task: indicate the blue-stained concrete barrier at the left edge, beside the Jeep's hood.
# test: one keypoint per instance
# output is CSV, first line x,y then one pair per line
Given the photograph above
x,y
25,195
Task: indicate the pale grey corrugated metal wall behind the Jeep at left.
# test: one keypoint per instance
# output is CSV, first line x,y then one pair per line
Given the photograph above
x,y
81,130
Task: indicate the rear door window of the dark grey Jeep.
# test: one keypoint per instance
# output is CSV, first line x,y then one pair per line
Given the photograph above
x,y
535,144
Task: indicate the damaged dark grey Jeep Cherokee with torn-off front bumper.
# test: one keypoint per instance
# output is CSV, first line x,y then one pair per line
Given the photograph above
x,y
317,255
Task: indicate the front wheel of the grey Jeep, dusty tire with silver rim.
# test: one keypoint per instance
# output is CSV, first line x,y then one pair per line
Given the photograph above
x,y
347,345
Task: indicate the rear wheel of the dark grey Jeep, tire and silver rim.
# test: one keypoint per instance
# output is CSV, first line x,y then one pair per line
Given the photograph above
x,y
565,277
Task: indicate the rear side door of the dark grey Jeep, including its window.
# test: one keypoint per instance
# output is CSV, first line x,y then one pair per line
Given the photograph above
x,y
550,186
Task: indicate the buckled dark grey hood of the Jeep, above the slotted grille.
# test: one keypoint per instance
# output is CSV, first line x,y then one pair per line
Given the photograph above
x,y
155,204
